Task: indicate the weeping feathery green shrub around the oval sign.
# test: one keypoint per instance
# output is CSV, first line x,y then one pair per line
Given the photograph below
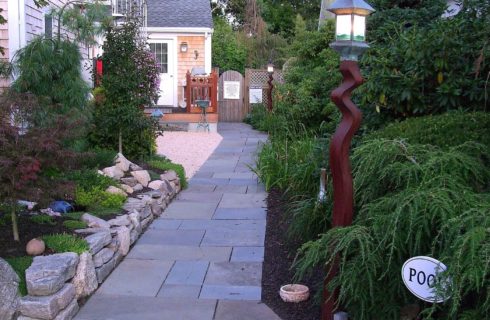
x,y
411,200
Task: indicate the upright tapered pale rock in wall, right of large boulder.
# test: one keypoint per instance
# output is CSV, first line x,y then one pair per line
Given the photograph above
x,y
85,280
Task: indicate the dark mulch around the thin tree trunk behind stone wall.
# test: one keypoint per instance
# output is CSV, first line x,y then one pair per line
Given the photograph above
x,y
27,231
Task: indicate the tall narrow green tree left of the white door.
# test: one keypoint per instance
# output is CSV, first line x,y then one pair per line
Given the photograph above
x,y
129,83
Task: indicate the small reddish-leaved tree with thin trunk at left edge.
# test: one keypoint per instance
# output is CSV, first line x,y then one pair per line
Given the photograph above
x,y
30,144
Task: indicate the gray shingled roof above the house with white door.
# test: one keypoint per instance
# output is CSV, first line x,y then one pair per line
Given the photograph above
x,y
179,14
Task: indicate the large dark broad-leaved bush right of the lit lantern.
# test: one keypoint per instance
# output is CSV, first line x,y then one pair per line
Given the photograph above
x,y
430,67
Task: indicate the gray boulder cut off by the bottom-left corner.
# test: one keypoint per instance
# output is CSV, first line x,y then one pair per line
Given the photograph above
x,y
9,284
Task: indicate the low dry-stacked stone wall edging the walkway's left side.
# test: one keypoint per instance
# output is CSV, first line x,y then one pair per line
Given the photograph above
x,y
56,282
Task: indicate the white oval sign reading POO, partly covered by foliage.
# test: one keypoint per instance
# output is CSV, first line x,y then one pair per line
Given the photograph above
x,y
420,275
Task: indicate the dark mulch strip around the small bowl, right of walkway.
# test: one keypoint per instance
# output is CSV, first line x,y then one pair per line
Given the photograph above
x,y
279,256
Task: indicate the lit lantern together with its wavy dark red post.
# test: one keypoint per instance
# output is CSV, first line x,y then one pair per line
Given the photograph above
x,y
350,35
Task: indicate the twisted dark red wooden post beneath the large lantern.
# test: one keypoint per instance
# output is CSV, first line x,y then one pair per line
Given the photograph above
x,y
343,194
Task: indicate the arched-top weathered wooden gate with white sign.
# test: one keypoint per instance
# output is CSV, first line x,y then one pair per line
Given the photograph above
x,y
231,96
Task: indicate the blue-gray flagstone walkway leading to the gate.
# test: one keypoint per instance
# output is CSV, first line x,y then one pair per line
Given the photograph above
x,y
203,258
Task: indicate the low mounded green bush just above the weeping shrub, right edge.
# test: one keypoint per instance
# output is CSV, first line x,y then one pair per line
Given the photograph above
x,y
446,130
